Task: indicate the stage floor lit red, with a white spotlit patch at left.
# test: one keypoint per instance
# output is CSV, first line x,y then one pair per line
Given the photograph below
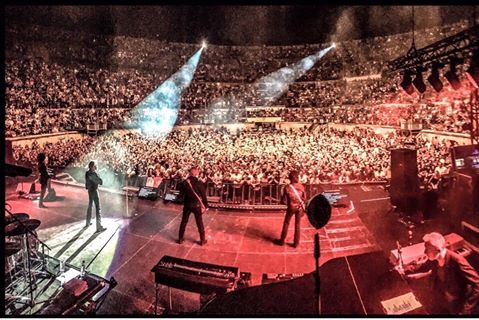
x,y
140,232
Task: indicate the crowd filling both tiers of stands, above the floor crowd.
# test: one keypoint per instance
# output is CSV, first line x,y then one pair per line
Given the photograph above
x,y
54,90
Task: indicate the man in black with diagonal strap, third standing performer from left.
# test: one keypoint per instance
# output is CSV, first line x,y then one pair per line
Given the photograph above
x,y
195,201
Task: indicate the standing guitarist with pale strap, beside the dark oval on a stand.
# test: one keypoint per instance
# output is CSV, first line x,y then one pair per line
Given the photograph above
x,y
294,198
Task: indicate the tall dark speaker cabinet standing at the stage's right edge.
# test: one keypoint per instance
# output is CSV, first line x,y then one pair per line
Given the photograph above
x,y
404,190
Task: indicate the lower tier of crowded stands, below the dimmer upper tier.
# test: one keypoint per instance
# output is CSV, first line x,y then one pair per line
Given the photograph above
x,y
44,98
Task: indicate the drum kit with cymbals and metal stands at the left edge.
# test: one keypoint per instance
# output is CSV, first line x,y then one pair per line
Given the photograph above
x,y
22,256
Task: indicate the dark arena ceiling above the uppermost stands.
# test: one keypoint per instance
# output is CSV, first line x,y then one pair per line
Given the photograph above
x,y
239,25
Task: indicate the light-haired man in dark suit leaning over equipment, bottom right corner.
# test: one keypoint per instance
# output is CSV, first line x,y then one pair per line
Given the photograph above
x,y
451,276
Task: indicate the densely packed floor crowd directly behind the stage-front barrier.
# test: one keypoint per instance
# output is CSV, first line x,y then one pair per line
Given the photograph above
x,y
246,156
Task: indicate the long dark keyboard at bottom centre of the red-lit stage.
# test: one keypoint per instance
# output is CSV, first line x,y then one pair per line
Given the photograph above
x,y
194,276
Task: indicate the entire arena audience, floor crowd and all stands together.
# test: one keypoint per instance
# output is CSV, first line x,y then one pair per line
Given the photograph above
x,y
53,90
